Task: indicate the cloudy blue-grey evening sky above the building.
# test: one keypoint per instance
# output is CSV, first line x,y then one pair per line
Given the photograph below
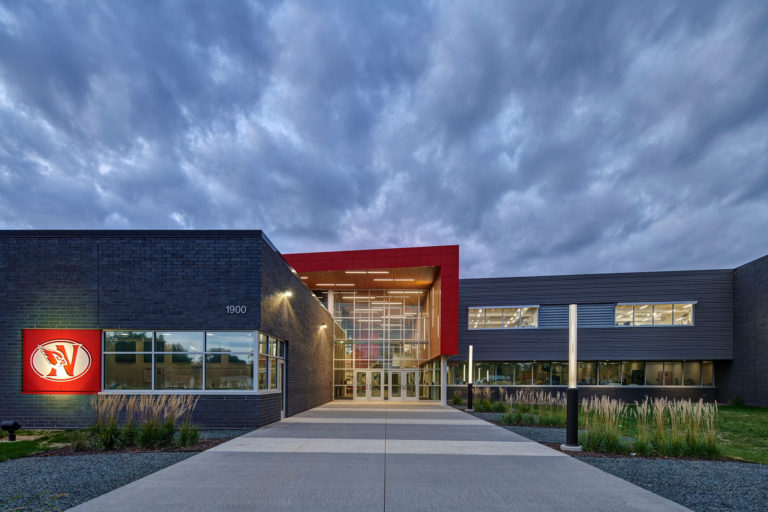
x,y
543,137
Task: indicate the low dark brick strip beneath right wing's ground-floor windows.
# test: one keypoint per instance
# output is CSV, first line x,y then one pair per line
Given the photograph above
x,y
628,394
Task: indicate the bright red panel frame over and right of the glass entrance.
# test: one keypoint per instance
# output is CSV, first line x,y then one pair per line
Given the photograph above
x,y
446,257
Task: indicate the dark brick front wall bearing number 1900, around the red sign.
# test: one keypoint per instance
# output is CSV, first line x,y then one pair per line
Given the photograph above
x,y
136,280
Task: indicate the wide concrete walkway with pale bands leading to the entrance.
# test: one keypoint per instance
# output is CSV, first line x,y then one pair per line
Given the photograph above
x,y
380,456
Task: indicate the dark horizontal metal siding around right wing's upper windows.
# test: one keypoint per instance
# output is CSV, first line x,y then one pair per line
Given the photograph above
x,y
710,338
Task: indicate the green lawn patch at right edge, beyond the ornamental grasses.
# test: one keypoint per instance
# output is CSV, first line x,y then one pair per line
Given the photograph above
x,y
743,433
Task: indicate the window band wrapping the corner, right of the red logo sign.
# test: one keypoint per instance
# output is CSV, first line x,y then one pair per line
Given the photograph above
x,y
190,360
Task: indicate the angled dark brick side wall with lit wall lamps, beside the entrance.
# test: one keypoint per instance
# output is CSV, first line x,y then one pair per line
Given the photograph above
x,y
297,319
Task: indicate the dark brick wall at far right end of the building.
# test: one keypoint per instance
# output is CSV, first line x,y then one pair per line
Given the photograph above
x,y
748,376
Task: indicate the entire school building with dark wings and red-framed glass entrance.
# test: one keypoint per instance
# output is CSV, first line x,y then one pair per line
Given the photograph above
x,y
258,335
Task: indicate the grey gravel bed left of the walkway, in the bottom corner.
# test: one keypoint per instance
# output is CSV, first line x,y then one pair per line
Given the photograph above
x,y
47,483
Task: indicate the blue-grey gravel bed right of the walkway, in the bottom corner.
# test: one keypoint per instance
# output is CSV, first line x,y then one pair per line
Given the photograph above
x,y
702,486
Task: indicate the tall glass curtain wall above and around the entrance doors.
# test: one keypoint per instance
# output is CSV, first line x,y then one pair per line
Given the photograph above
x,y
384,329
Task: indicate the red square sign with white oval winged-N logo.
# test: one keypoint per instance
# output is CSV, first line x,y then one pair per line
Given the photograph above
x,y
61,361
